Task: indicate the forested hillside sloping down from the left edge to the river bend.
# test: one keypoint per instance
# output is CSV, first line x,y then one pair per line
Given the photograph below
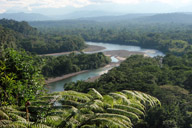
x,y
19,35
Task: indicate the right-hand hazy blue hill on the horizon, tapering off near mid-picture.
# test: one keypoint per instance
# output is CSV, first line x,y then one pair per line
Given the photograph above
x,y
185,18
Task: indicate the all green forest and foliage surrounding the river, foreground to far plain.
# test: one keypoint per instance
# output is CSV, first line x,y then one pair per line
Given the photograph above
x,y
122,98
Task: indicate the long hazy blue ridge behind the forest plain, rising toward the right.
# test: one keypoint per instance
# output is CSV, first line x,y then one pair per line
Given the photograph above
x,y
178,18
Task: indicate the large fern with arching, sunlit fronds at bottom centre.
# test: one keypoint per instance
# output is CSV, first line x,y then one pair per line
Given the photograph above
x,y
75,109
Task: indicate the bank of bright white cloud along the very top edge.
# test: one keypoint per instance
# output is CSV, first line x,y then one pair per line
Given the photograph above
x,y
34,4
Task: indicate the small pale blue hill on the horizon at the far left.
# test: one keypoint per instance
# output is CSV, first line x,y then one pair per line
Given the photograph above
x,y
24,16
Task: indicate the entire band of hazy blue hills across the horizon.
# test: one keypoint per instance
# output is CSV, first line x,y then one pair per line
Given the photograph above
x,y
103,17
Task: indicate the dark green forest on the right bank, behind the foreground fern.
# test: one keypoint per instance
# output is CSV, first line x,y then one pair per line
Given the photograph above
x,y
167,78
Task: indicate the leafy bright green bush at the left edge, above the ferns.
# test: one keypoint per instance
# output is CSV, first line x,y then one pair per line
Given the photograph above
x,y
20,78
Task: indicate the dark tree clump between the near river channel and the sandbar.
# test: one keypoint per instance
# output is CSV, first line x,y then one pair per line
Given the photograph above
x,y
57,66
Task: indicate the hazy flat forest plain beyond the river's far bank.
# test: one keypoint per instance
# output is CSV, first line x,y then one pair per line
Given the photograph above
x,y
167,37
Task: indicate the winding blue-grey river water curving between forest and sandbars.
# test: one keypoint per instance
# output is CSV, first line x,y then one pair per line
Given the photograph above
x,y
58,86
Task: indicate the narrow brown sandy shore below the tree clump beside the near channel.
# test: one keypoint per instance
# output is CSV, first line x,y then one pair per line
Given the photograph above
x,y
51,80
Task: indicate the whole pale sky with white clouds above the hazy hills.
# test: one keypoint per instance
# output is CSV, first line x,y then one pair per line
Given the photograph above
x,y
64,6
